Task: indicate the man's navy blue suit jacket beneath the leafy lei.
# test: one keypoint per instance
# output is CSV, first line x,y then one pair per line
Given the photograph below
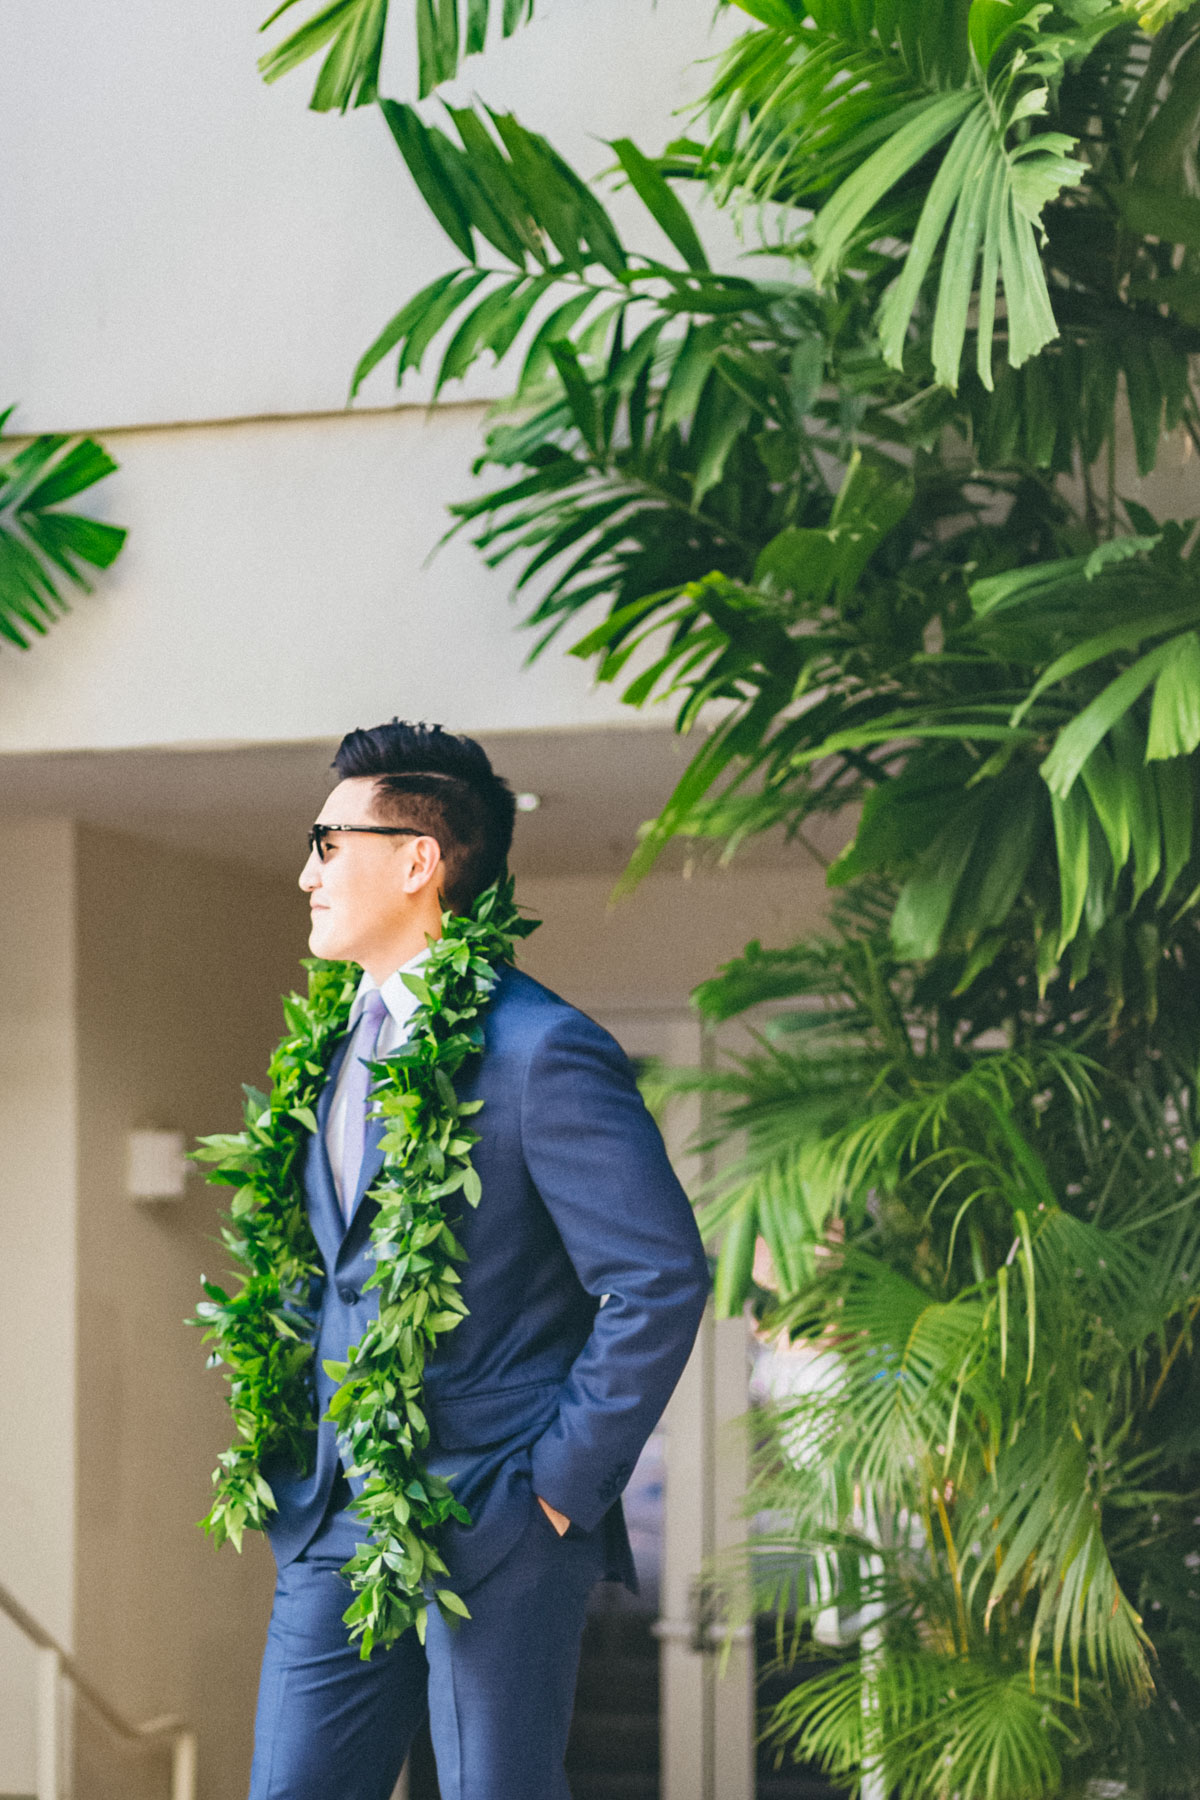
x,y
542,1389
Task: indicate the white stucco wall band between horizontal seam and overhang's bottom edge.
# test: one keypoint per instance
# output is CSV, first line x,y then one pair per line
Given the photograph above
x,y
276,588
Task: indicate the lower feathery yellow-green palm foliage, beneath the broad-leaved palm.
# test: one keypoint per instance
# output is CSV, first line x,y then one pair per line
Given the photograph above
x,y
983,1223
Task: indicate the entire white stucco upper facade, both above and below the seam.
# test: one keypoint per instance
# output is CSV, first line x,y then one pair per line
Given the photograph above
x,y
184,244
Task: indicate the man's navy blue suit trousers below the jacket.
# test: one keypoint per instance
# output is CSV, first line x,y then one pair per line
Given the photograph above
x,y
497,1687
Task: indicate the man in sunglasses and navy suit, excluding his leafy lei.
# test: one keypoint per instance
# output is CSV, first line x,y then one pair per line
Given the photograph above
x,y
586,1282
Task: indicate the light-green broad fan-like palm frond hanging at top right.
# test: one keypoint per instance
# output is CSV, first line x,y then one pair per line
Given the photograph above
x,y
839,112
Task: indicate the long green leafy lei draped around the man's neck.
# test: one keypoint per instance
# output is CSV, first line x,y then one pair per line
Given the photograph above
x,y
262,1335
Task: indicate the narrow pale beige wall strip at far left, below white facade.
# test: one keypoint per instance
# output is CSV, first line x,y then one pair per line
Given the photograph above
x,y
39,1261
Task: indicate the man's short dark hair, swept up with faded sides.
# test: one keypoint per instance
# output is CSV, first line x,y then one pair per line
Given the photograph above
x,y
447,787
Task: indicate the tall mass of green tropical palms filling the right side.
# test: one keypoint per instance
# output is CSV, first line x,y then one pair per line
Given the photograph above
x,y
866,525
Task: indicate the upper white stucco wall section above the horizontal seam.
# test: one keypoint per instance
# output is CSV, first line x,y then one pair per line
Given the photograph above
x,y
184,244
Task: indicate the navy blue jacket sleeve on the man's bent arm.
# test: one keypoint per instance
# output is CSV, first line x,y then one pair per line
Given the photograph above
x,y
602,1169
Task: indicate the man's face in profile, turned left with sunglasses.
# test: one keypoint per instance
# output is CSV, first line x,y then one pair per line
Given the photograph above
x,y
368,892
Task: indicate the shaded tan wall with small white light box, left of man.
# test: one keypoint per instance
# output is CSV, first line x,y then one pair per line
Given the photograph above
x,y
181,969
